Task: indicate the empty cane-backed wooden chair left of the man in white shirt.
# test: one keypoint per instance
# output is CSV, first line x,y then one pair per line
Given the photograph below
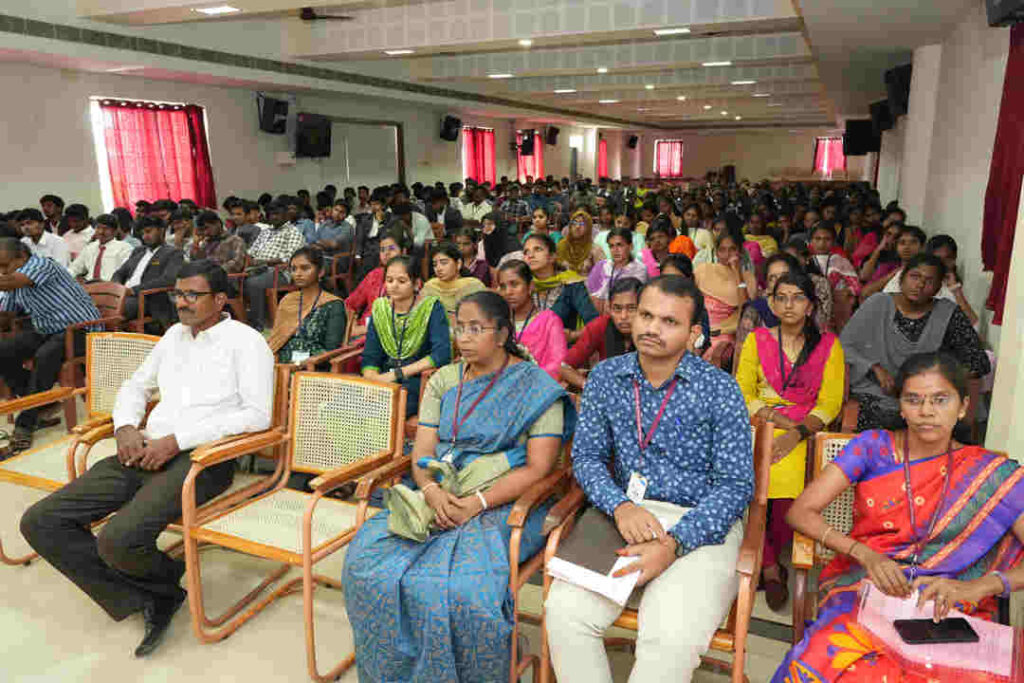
x,y
111,358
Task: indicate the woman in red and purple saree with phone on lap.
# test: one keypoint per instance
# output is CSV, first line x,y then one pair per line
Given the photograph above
x,y
956,532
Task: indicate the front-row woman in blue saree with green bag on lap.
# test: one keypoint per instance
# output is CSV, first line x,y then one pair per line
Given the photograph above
x,y
440,609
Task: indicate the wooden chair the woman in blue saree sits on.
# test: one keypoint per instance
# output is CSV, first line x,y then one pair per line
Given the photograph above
x,y
521,570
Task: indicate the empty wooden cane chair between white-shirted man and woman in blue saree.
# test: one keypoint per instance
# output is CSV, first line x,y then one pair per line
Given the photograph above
x,y
339,429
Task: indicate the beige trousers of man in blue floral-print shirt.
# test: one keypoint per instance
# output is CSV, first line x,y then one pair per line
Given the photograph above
x,y
679,613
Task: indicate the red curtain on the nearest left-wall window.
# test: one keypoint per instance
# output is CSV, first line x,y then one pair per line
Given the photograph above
x,y
157,152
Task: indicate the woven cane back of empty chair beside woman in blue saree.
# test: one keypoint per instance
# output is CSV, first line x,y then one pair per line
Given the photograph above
x,y
337,420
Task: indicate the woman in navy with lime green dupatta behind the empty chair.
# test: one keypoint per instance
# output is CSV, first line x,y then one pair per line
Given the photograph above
x,y
408,332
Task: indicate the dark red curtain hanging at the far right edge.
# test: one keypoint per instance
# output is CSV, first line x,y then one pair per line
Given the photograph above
x,y
1004,194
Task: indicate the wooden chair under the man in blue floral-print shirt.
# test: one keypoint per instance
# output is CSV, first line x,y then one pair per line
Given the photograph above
x,y
733,637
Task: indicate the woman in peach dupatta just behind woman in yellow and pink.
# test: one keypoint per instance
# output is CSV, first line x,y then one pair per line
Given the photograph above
x,y
726,287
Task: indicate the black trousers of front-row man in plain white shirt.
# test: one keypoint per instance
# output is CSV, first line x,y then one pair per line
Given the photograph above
x,y
121,568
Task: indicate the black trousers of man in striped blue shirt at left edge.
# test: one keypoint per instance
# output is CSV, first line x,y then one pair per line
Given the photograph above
x,y
49,353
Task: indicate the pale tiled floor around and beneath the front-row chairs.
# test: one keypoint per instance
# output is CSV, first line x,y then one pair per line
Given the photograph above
x,y
52,632
